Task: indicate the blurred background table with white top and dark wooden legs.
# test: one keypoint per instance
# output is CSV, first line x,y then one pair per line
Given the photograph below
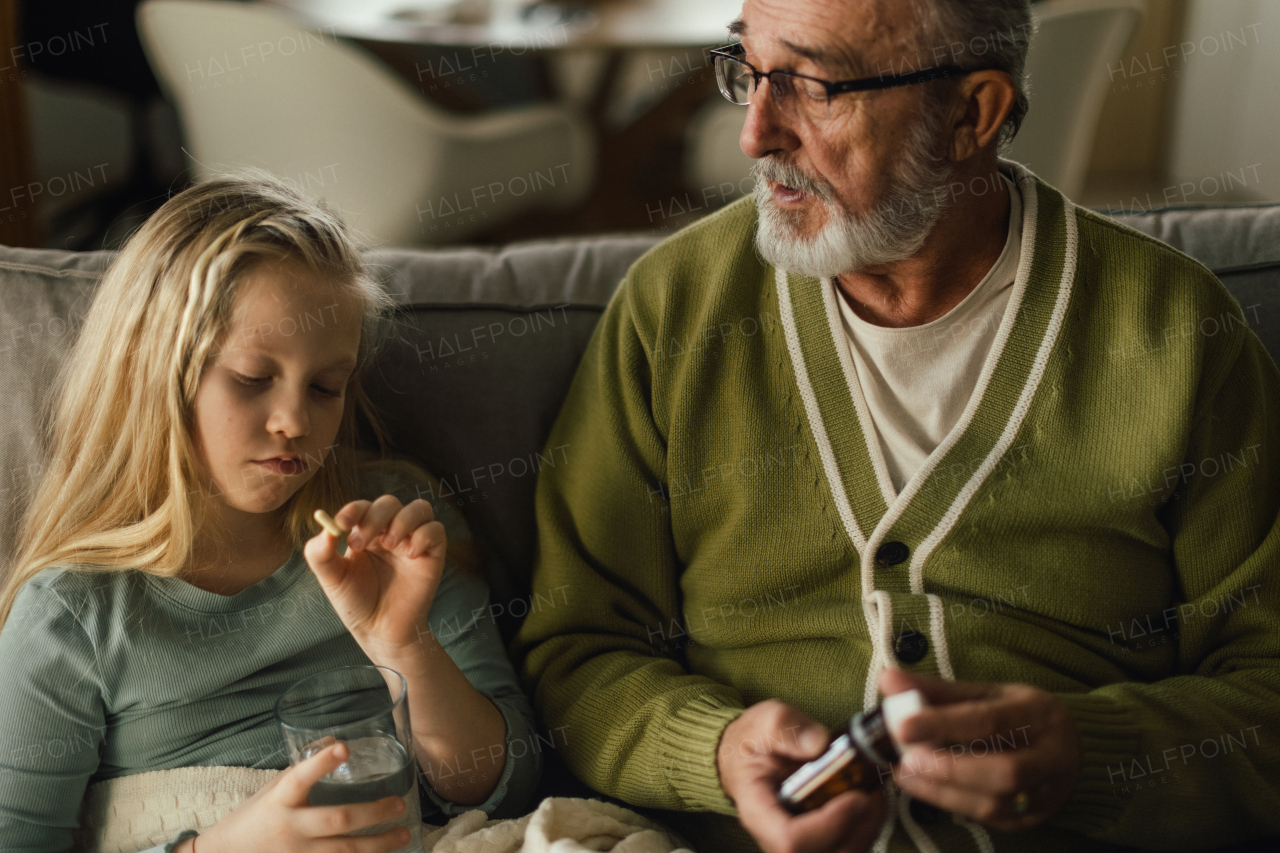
x,y
595,56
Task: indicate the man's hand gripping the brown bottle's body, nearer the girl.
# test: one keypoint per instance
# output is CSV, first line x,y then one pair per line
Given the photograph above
x,y
762,749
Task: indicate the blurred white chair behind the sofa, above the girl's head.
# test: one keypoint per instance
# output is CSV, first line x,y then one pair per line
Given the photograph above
x,y
255,89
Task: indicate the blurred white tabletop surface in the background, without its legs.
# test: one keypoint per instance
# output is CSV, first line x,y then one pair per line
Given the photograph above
x,y
541,26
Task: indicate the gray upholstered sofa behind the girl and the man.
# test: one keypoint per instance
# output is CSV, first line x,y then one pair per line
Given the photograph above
x,y
484,354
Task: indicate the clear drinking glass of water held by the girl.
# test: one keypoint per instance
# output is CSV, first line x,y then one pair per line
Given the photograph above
x,y
368,709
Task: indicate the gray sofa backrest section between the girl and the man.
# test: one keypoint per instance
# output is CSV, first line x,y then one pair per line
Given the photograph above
x,y
482,359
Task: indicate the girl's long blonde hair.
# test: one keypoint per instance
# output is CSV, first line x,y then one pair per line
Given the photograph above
x,y
117,494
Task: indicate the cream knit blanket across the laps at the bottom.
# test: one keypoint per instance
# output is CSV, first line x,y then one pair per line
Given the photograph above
x,y
136,813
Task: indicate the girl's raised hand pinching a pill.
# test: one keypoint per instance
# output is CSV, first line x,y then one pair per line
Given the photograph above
x,y
385,586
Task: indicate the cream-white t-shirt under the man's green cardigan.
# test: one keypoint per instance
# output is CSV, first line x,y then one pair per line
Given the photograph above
x,y
917,381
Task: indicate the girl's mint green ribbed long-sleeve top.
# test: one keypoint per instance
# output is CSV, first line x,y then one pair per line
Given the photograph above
x,y
108,676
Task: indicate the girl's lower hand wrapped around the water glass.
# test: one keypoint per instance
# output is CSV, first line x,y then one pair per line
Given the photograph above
x,y
278,819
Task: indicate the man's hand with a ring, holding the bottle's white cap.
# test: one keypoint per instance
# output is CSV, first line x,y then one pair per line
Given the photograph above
x,y
982,749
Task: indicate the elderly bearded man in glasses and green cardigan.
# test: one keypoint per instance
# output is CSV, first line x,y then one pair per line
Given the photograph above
x,y
912,419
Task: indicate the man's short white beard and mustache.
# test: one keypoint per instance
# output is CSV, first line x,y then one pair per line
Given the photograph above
x,y
894,230
